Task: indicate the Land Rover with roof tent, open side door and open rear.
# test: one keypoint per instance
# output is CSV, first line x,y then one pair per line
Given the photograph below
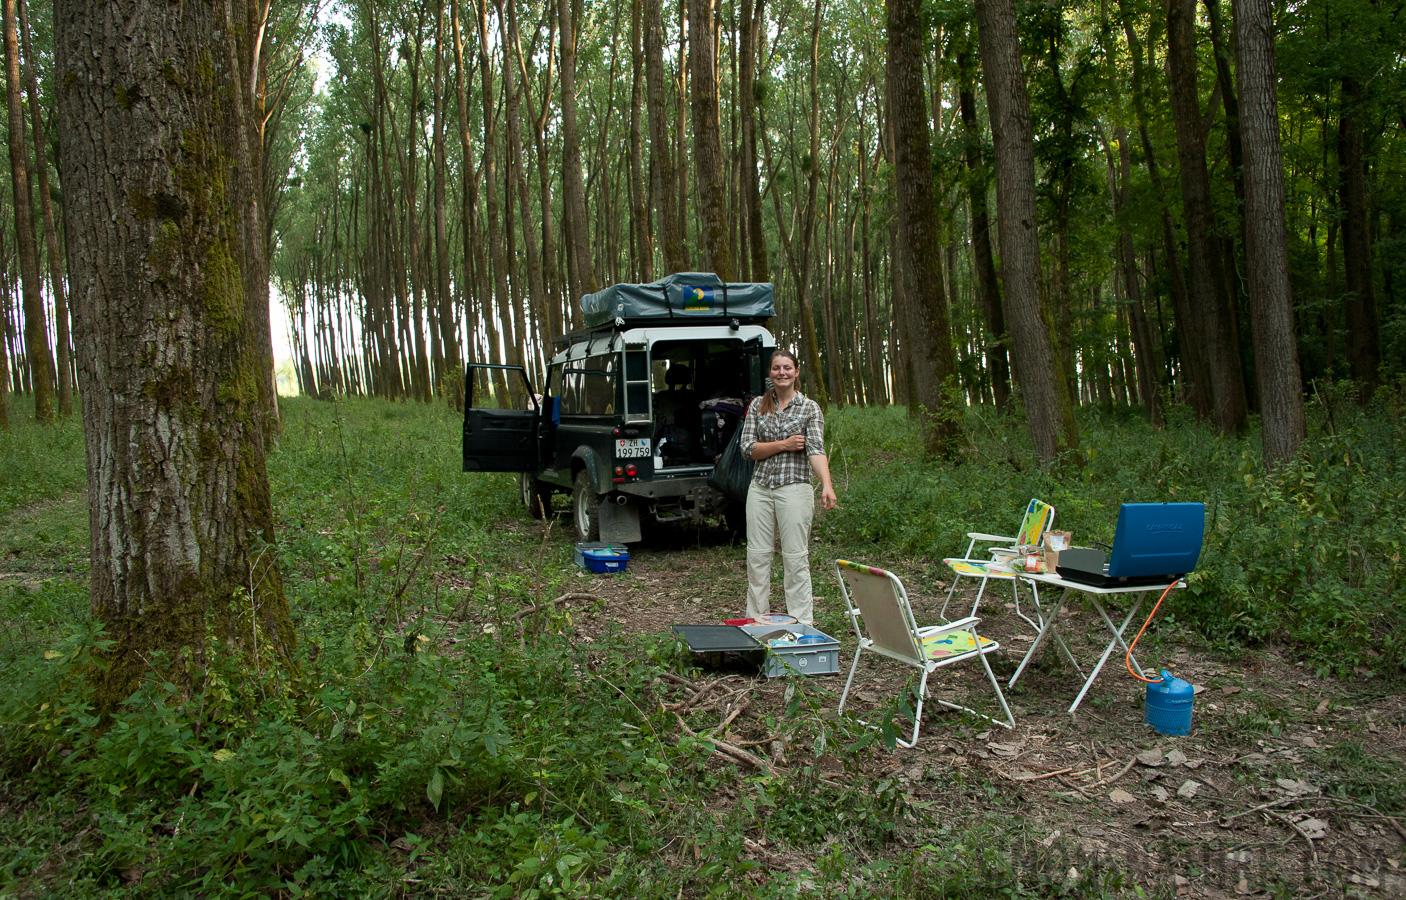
x,y
638,406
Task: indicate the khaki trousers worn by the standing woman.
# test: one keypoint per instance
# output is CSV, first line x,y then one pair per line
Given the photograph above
x,y
787,513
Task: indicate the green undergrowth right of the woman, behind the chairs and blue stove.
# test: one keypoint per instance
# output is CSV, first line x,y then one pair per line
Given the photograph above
x,y
1310,555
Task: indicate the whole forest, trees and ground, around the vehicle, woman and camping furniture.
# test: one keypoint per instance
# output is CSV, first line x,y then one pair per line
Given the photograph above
x,y
261,645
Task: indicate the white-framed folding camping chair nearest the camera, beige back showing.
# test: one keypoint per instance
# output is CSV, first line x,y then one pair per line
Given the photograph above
x,y
891,631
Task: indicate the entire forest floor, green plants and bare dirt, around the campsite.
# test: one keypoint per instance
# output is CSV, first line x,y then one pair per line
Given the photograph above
x,y
452,732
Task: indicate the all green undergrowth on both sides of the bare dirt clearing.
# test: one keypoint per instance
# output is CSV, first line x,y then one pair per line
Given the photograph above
x,y
428,743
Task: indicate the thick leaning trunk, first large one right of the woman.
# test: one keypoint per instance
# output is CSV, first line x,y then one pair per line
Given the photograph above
x,y
930,354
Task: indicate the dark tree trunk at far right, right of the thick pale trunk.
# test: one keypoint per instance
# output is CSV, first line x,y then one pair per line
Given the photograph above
x,y
1365,349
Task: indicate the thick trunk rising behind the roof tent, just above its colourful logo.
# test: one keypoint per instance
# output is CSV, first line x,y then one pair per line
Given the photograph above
x,y
708,140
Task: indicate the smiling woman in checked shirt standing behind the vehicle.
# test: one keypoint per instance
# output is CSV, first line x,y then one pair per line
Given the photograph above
x,y
784,434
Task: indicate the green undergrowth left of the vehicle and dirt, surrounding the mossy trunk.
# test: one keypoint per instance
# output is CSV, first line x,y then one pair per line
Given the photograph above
x,y
428,745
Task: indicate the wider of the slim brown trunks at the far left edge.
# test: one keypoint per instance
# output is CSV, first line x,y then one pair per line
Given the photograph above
x,y
36,331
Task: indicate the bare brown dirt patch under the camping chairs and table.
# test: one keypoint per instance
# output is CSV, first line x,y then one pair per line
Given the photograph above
x,y
1279,790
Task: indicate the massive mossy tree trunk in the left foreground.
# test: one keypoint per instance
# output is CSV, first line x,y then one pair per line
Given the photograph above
x,y
160,165
